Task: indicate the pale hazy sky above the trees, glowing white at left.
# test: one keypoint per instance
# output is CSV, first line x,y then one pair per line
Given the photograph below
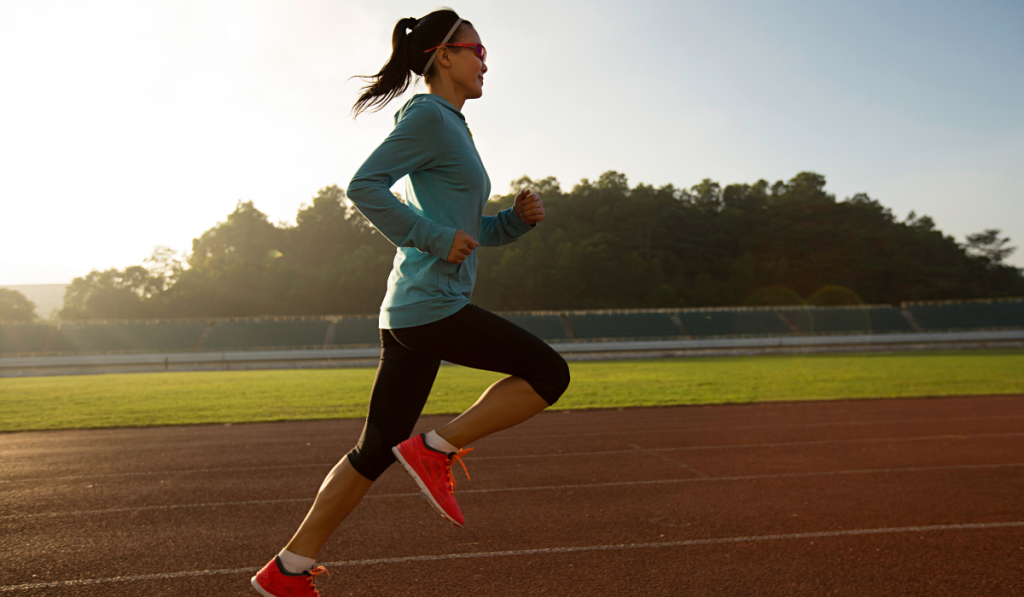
x,y
130,125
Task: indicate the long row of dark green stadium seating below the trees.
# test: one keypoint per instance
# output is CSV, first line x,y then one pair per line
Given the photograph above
x,y
663,324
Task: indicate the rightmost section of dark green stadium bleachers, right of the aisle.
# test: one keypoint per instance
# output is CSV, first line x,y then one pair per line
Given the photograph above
x,y
968,316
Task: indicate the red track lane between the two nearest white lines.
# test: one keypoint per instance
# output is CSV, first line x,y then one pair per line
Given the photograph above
x,y
400,527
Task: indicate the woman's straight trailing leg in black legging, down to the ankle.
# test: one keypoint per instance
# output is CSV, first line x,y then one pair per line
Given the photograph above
x,y
401,390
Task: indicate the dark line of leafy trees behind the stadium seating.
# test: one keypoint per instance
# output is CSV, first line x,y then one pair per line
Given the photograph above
x,y
603,245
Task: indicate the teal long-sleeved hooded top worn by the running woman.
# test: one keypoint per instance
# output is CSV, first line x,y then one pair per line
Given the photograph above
x,y
447,190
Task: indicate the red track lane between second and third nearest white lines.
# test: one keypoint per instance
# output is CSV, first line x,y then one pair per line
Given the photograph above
x,y
288,483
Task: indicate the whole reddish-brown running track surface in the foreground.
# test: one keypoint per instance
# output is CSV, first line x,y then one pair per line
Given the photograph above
x,y
908,497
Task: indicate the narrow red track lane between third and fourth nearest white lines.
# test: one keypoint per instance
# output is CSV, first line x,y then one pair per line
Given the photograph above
x,y
246,454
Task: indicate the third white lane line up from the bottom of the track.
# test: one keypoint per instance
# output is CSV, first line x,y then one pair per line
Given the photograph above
x,y
546,455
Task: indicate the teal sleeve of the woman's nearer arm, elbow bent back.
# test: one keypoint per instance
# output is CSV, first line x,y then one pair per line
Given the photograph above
x,y
414,145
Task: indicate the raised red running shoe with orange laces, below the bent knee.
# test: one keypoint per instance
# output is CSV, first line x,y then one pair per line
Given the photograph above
x,y
433,472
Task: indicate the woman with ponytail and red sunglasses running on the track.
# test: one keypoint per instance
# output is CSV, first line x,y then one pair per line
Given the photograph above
x,y
426,316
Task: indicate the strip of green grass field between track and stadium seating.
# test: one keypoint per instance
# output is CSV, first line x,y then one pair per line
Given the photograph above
x,y
181,399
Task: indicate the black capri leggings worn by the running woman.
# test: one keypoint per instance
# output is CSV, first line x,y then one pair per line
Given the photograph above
x,y
411,357
